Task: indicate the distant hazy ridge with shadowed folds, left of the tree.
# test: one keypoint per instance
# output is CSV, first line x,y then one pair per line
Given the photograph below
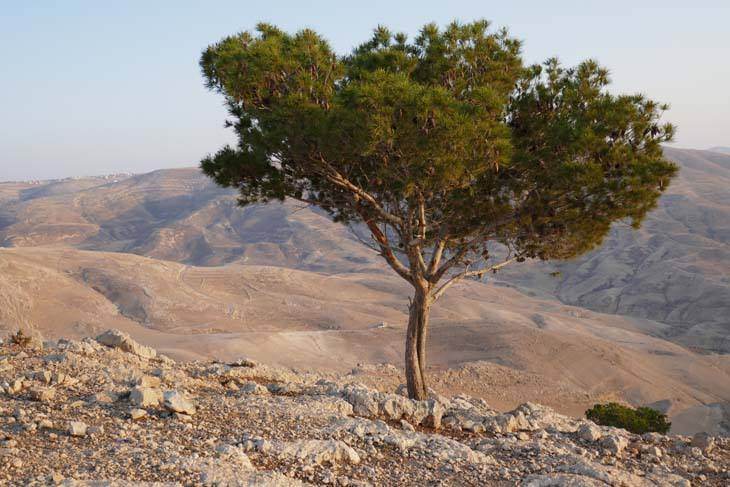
x,y
178,215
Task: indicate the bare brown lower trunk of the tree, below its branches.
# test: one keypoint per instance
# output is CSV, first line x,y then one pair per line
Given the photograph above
x,y
416,345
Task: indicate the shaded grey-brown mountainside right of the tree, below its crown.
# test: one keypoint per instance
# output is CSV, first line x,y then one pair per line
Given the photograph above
x,y
675,269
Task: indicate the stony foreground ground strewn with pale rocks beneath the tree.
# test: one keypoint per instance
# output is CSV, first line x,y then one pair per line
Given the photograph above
x,y
112,412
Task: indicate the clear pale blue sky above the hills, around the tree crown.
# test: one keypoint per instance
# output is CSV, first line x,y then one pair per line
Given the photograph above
x,y
90,88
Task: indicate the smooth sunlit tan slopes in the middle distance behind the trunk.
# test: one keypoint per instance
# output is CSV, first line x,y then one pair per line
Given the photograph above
x,y
571,357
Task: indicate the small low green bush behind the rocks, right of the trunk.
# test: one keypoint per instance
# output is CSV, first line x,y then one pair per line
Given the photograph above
x,y
639,421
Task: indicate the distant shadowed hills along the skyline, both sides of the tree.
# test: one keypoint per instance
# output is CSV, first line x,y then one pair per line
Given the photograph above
x,y
674,270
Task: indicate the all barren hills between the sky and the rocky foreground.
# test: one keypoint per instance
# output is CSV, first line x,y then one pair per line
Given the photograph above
x,y
171,259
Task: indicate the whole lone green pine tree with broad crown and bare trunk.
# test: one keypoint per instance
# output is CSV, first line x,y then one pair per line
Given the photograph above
x,y
445,148
